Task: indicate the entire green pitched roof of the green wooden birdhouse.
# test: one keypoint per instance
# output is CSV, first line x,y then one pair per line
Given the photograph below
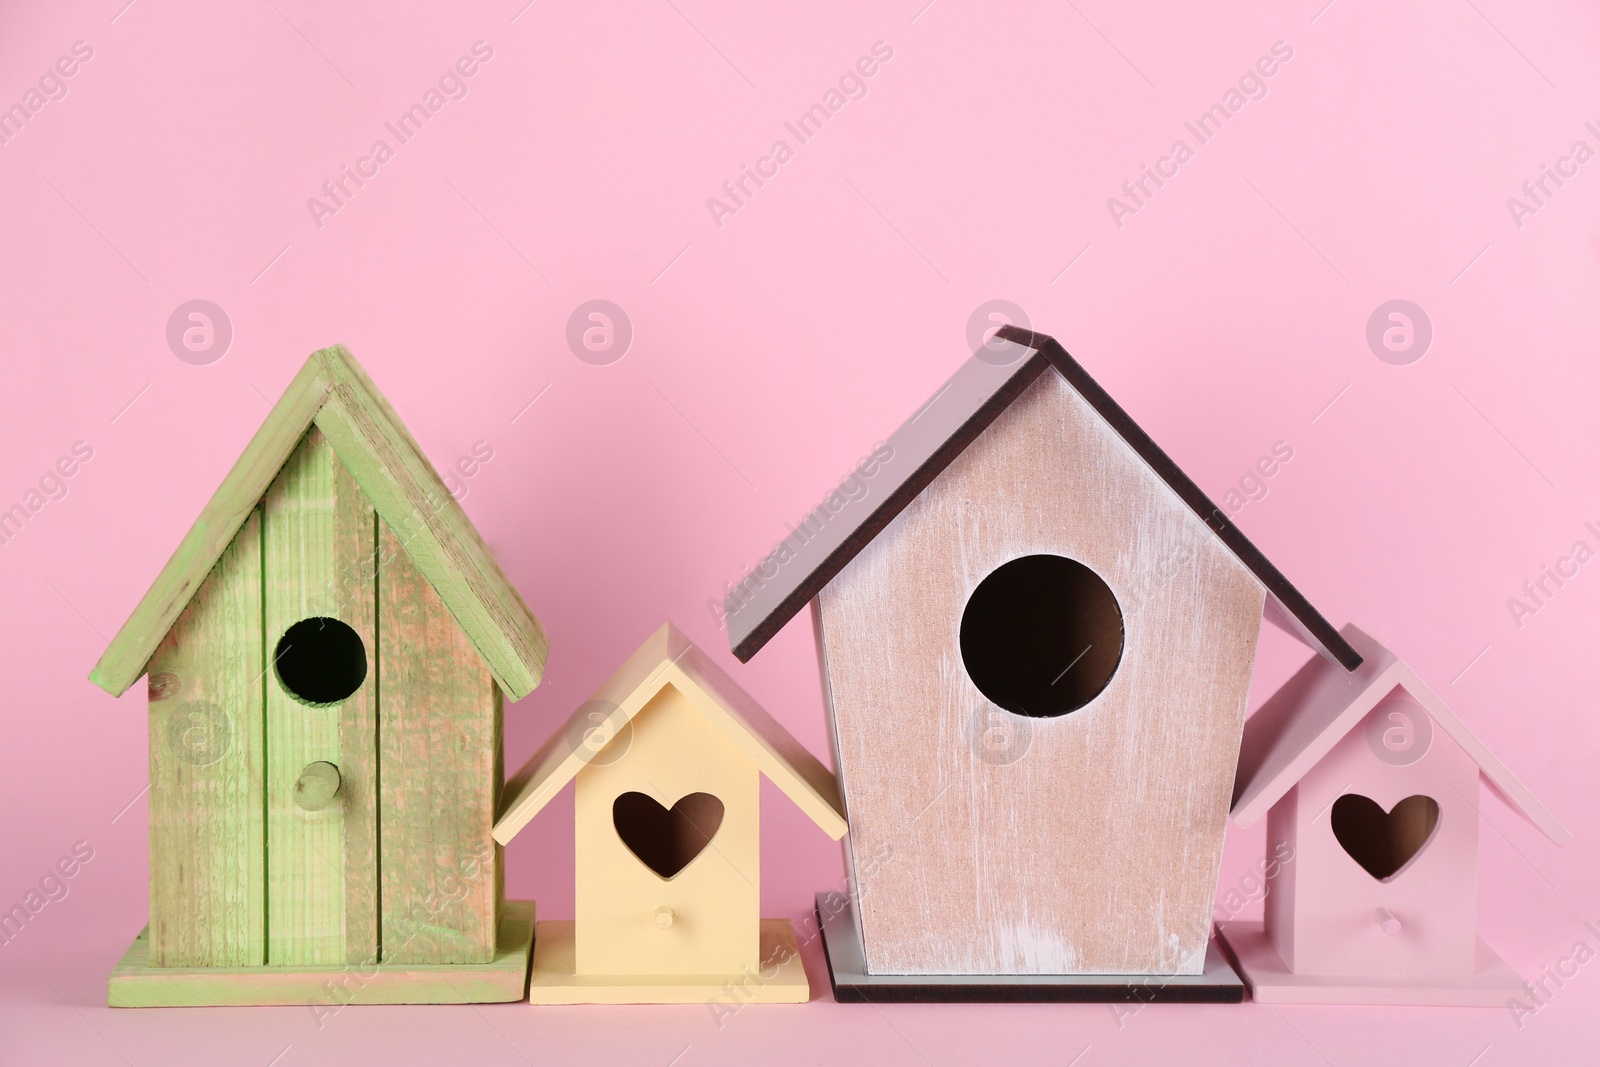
x,y
335,394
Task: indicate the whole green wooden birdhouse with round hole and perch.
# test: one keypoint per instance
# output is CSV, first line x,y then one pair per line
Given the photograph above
x,y
327,653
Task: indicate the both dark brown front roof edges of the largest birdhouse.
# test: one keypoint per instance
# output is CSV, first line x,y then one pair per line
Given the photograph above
x,y
1049,353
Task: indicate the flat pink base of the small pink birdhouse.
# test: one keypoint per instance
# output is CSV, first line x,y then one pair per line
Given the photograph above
x,y
1274,985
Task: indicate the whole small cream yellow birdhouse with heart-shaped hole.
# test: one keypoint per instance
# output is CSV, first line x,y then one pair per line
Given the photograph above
x,y
668,759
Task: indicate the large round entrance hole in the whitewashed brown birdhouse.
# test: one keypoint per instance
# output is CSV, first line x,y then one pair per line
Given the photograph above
x,y
1042,636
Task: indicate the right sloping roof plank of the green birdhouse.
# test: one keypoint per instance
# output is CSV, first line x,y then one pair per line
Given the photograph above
x,y
428,521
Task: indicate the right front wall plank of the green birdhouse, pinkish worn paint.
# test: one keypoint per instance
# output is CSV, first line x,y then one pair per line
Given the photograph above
x,y
441,754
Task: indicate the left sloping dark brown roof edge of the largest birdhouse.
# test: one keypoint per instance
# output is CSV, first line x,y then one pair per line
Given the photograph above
x,y
892,506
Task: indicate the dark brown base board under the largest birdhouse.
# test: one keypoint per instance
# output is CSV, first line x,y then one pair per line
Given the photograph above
x,y
847,970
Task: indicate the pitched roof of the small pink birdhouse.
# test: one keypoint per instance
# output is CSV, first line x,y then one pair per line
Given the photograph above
x,y
1302,722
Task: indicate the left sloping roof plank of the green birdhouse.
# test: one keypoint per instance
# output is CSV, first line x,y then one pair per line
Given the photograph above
x,y
228,510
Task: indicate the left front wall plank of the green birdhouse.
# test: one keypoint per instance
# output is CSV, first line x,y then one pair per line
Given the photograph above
x,y
207,847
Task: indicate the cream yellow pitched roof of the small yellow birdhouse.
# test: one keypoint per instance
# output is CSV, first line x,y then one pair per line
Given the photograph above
x,y
671,660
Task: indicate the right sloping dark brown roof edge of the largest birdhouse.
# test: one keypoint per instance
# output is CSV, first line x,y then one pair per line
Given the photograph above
x,y
1294,602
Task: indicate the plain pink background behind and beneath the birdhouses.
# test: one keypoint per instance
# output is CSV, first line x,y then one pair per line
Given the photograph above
x,y
770,353
